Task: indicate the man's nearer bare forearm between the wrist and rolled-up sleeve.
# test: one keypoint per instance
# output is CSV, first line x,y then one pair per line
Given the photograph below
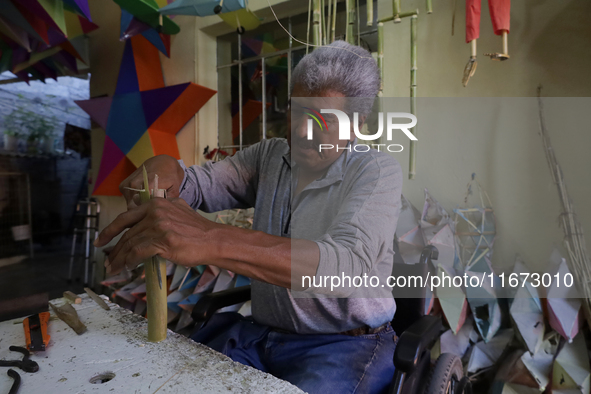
x,y
268,258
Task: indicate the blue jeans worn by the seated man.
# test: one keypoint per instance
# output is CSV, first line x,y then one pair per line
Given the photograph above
x,y
324,363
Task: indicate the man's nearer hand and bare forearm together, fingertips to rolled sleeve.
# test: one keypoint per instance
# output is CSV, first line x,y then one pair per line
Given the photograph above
x,y
172,230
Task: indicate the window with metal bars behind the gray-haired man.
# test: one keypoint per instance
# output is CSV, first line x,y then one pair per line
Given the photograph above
x,y
255,68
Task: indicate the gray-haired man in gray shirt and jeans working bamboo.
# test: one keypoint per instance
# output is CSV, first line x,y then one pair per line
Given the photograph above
x,y
319,213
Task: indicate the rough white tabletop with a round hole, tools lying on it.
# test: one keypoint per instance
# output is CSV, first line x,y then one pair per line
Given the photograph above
x,y
116,342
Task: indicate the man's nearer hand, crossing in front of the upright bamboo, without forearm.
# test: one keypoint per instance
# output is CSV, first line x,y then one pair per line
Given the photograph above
x,y
165,227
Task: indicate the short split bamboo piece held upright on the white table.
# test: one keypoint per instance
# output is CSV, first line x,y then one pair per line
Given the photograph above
x,y
155,290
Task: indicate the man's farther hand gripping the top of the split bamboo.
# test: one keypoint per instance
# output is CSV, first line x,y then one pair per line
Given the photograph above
x,y
170,177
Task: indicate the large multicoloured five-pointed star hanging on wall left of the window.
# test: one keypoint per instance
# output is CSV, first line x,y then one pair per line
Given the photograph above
x,y
143,117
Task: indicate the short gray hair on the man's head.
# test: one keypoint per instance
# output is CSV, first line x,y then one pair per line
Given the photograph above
x,y
340,66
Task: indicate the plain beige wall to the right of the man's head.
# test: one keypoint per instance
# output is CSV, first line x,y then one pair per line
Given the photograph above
x,y
548,44
